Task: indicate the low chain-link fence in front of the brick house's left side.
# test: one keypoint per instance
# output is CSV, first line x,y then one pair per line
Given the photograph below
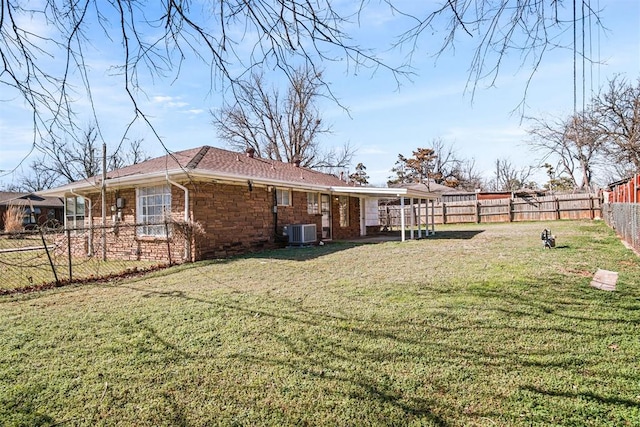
x,y
49,257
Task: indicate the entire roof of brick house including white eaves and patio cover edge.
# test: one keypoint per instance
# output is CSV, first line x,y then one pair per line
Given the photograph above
x,y
218,164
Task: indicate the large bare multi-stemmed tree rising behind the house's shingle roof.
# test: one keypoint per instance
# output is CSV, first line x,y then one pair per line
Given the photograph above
x,y
285,128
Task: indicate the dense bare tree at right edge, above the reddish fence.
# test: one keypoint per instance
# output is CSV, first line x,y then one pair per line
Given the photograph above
x,y
616,113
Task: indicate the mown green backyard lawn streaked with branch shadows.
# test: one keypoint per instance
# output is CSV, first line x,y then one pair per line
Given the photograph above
x,y
476,326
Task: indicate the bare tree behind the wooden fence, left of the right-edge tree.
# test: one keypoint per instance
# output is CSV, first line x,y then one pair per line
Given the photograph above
x,y
574,144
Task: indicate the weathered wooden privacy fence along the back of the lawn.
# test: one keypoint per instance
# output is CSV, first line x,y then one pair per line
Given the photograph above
x,y
533,208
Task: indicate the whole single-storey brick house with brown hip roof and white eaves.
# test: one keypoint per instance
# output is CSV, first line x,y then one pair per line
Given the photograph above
x,y
220,202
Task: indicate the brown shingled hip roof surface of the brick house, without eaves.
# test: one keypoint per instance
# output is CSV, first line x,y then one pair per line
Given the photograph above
x,y
228,163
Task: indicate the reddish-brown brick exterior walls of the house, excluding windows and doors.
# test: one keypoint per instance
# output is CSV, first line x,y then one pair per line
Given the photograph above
x,y
227,219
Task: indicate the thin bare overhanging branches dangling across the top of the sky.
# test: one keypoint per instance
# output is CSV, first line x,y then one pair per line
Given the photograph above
x,y
234,37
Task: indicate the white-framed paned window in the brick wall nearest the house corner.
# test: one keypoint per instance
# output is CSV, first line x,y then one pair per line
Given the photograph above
x,y
154,207
